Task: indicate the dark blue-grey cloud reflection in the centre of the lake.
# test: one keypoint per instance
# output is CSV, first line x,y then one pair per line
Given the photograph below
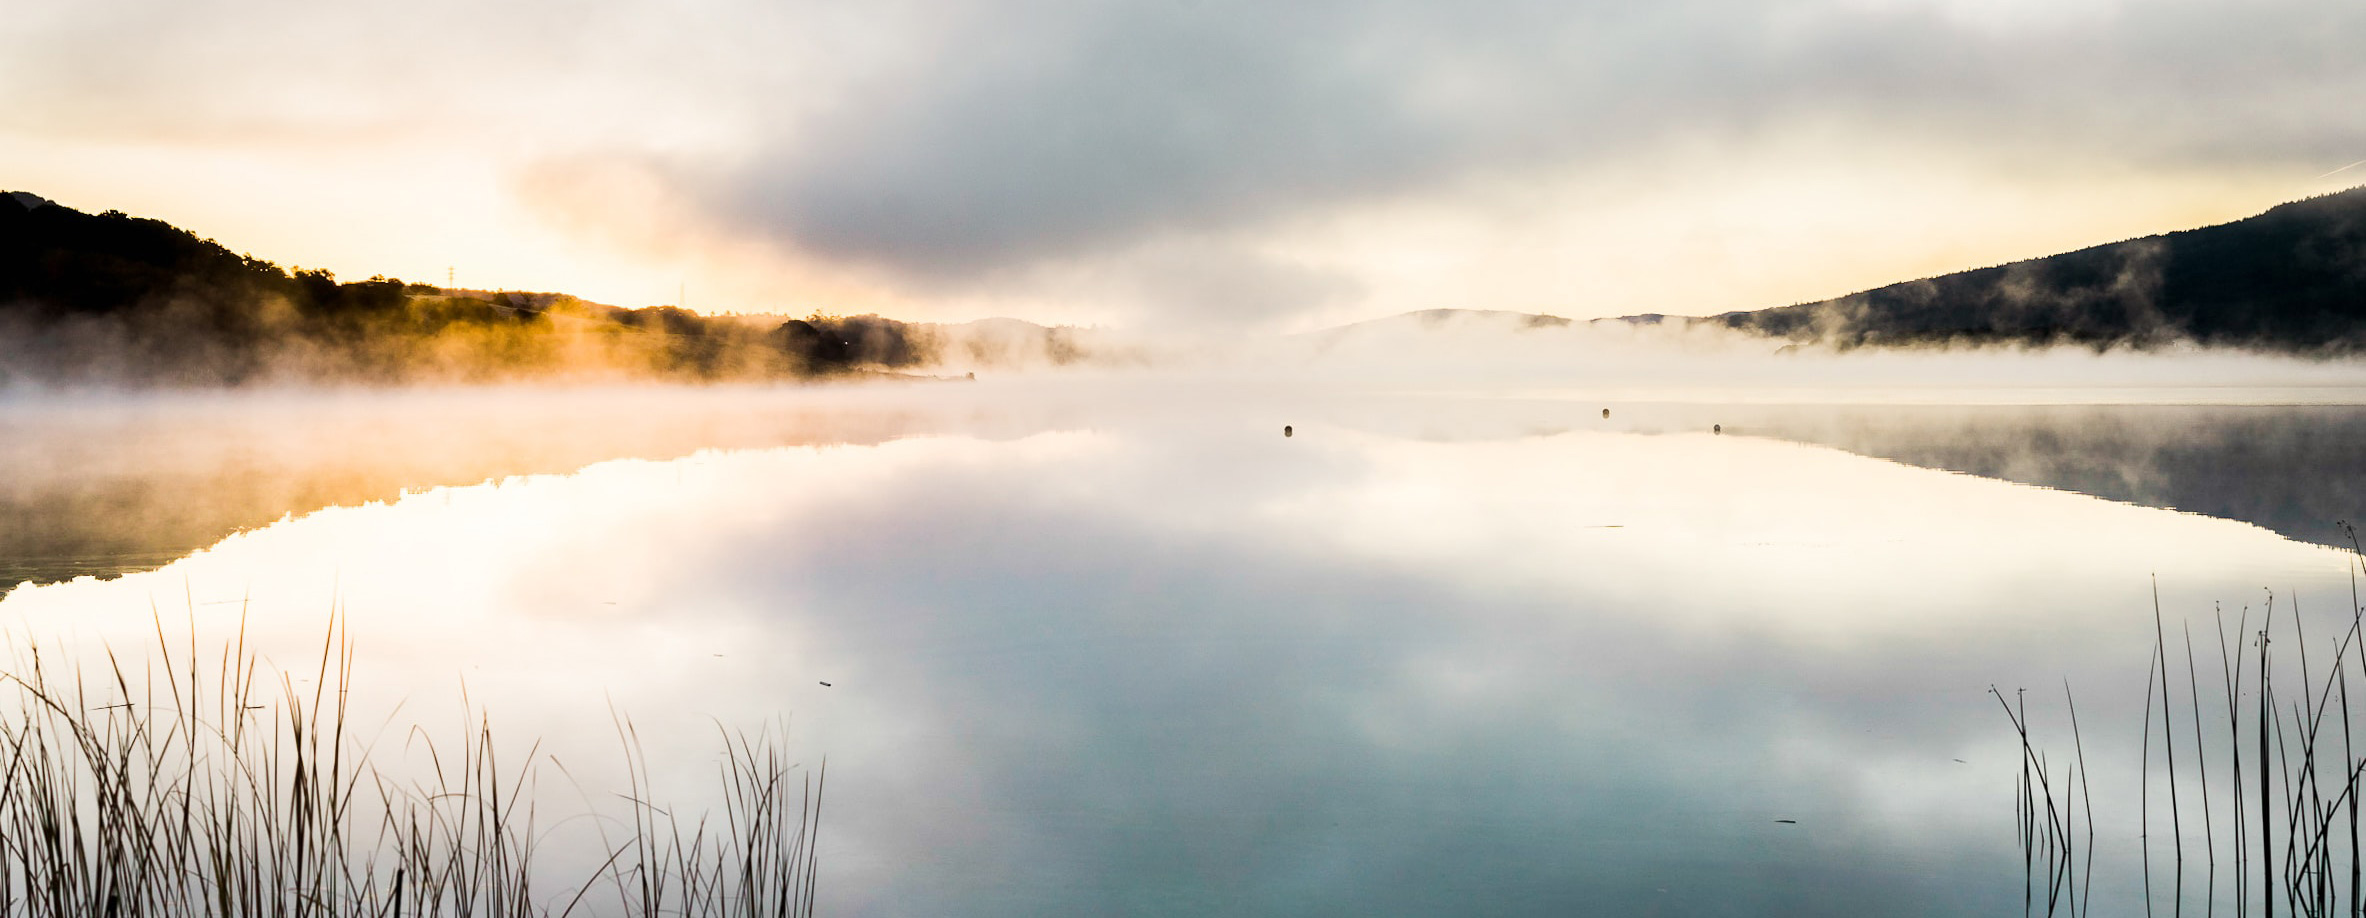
x,y
1262,711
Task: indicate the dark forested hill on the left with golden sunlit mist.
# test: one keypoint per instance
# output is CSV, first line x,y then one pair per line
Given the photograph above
x,y
115,299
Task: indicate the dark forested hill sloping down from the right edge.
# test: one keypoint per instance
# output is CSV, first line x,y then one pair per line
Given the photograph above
x,y
2289,280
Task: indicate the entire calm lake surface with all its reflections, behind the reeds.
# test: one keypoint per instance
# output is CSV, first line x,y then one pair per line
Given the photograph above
x,y
1125,647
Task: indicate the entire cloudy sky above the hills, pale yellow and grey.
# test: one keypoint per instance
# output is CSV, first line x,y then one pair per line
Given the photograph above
x,y
1179,164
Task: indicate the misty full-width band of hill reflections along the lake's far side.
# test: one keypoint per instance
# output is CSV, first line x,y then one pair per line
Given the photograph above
x,y
131,484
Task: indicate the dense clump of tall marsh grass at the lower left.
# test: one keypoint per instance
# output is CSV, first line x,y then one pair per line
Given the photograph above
x,y
183,787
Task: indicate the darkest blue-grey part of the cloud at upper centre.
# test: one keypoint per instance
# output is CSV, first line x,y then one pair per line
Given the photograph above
x,y
1075,136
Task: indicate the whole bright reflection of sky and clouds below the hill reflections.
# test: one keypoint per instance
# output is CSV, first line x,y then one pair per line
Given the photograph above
x,y
1201,668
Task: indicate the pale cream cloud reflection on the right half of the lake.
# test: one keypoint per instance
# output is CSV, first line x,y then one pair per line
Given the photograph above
x,y
1764,536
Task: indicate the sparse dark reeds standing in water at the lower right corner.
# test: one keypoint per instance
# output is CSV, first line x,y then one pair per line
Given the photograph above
x,y
2258,777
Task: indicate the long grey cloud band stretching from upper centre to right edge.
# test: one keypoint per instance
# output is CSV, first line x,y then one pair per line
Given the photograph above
x,y
1066,129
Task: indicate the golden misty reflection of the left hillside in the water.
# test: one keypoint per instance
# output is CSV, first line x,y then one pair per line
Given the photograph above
x,y
129,484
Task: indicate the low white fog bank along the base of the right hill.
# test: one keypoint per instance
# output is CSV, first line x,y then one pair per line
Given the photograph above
x,y
1681,358
